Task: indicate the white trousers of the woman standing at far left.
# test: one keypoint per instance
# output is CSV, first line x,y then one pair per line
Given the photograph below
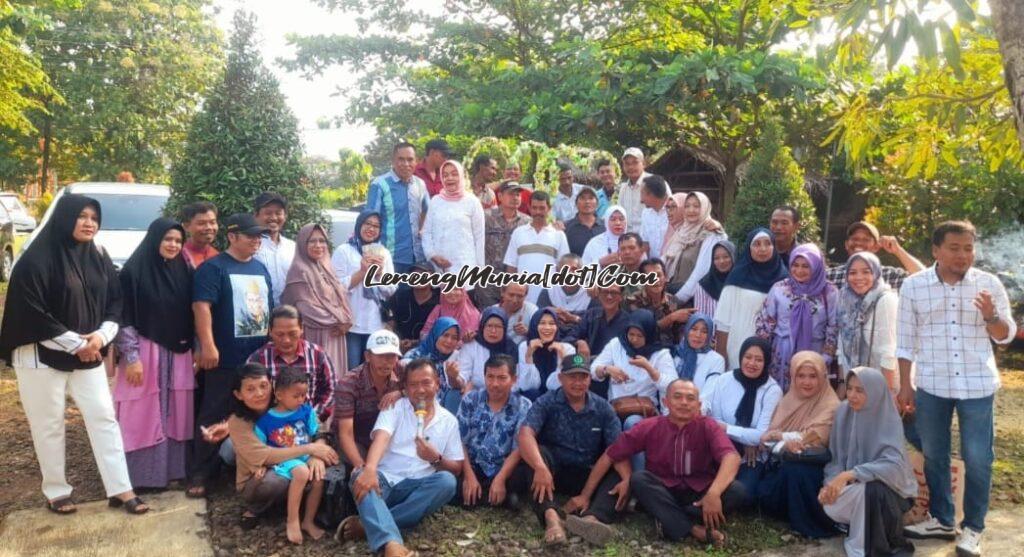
x,y
44,392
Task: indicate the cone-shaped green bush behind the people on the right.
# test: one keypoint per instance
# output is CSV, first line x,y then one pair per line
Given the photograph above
x,y
773,179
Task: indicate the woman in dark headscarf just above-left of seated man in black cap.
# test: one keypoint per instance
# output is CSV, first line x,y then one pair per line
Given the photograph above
x,y
541,356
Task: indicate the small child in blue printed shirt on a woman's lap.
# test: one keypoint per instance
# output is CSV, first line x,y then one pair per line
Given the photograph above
x,y
291,423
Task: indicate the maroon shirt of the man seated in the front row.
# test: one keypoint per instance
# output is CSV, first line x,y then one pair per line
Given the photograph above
x,y
678,456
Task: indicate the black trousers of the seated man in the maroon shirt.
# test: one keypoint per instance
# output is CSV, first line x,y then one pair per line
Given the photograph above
x,y
674,509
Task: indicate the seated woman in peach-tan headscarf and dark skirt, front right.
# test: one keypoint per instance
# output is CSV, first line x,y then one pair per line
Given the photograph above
x,y
800,427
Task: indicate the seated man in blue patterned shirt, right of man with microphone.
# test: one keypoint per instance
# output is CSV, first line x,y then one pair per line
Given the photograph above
x,y
490,421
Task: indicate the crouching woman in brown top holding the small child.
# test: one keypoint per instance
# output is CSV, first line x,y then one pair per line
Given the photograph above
x,y
263,491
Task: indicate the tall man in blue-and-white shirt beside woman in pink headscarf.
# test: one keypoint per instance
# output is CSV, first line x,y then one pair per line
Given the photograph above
x,y
401,199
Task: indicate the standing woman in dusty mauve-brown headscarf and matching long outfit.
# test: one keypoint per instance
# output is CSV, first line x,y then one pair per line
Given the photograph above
x,y
313,287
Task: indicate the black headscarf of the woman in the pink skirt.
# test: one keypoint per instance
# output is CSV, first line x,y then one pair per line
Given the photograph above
x,y
158,292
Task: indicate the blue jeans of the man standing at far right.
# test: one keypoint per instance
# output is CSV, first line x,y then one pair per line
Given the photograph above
x,y
934,422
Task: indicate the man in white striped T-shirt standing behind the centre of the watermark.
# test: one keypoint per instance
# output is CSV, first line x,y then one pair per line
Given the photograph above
x,y
534,247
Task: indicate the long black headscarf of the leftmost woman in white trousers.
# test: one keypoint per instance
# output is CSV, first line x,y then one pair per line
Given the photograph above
x,y
60,285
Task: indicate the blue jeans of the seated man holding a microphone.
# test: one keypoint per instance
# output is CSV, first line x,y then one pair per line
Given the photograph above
x,y
402,506
